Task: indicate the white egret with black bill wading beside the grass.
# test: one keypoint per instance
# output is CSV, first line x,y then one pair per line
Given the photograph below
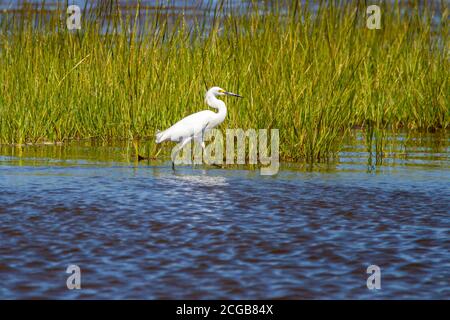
x,y
194,126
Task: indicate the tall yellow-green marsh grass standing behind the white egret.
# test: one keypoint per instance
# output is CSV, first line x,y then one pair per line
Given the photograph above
x,y
313,74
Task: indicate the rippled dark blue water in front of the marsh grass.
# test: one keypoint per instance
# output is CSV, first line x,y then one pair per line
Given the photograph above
x,y
142,231
